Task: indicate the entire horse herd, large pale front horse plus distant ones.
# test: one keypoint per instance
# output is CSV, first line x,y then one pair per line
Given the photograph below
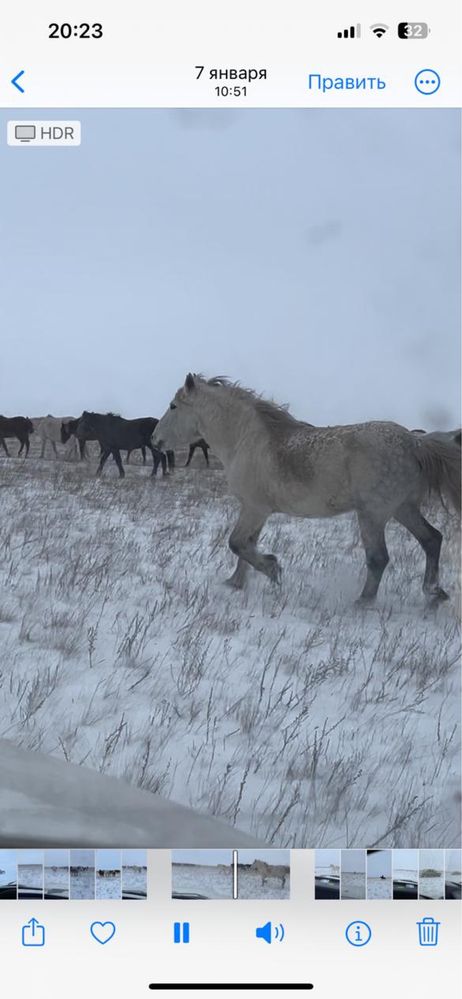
x,y
275,463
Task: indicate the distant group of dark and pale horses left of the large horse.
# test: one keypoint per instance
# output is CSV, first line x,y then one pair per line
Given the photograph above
x,y
113,433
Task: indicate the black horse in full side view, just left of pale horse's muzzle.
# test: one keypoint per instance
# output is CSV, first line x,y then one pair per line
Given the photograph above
x,y
114,434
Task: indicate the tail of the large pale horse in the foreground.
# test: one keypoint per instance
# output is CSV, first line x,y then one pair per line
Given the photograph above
x,y
439,456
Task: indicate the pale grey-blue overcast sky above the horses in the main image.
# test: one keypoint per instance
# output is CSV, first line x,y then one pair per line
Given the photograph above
x,y
313,255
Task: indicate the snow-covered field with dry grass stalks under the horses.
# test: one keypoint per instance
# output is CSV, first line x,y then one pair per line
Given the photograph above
x,y
288,712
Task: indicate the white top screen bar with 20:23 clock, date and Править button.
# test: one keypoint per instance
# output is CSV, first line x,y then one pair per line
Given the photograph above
x,y
207,54
